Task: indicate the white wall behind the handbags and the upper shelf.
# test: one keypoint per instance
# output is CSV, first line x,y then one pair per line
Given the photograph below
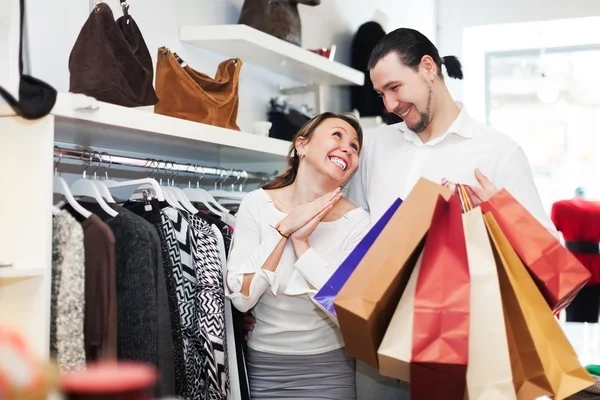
x,y
54,26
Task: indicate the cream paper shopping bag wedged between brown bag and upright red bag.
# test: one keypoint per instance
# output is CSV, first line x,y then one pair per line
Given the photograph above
x,y
394,353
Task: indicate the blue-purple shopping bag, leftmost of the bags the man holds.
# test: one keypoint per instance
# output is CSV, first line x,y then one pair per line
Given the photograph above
x,y
326,295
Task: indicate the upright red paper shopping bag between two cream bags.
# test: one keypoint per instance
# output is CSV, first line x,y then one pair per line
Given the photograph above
x,y
440,342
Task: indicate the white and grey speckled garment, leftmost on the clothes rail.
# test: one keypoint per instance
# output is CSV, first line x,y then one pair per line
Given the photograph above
x,y
67,293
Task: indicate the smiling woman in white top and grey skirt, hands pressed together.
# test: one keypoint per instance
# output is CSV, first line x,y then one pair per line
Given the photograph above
x,y
290,236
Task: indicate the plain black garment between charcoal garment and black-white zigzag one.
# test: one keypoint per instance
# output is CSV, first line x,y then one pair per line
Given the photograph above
x,y
171,341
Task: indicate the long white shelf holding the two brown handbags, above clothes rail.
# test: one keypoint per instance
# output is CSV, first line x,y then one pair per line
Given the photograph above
x,y
143,132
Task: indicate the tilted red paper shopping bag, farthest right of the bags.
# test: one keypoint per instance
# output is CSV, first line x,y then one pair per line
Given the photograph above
x,y
556,272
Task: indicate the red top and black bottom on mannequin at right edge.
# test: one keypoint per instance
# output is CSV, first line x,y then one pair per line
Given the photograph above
x,y
579,222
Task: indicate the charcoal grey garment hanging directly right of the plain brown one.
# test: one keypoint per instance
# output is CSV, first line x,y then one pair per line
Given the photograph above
x,y
137,261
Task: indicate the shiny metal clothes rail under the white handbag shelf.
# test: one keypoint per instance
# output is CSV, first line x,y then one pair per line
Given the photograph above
x,y
159,166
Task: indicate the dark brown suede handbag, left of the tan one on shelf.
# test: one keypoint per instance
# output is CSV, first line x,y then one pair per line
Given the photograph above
x,y
110,60
